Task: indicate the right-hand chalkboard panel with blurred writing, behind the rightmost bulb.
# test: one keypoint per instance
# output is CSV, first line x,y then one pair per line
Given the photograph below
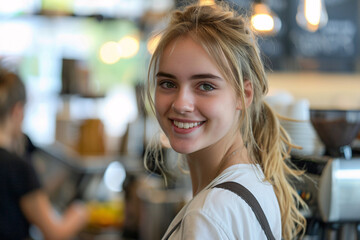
x,y
333,47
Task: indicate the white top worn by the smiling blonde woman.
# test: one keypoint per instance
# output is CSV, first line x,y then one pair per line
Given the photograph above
x,y
216,213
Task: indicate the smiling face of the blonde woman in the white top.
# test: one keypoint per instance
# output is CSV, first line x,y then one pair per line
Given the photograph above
x,y
195,106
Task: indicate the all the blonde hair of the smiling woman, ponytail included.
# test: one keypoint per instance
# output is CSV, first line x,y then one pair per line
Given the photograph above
x,y
228,39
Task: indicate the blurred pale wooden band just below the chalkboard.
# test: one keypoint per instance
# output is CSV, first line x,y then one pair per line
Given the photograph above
x,y
323,90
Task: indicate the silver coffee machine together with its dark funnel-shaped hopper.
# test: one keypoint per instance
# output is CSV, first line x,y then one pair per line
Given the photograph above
x,y
331,184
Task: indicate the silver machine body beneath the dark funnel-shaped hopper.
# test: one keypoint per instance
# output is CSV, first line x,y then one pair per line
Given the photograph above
x,y
331,189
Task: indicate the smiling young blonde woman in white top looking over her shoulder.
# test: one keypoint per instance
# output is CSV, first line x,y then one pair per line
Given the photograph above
x,y
206,86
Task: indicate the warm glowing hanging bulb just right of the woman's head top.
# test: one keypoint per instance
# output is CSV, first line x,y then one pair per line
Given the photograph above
x,y
263,20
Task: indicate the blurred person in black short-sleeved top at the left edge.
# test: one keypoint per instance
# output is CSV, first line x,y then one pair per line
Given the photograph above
x,y
23,202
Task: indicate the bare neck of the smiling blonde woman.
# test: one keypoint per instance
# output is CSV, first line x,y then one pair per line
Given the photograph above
x,y
206,164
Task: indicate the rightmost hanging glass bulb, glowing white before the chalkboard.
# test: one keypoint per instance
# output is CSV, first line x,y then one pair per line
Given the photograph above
x,y
311,14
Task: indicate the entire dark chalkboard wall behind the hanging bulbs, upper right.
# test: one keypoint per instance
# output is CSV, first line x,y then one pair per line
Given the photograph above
x,y
335,47
